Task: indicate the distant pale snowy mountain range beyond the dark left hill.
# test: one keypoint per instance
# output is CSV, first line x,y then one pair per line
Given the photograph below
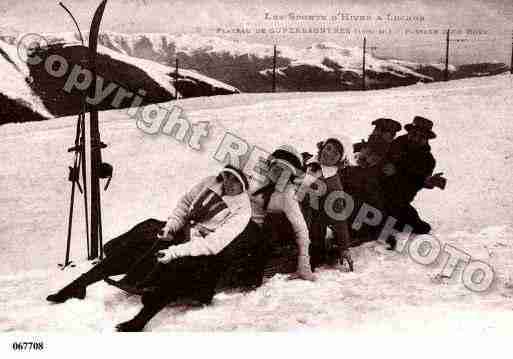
x,y
248,66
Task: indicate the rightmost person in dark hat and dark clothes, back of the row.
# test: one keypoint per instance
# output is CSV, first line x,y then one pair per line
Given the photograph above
x,y
408,164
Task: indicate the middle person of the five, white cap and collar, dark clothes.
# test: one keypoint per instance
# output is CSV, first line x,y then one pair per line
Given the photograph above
x,y
325,167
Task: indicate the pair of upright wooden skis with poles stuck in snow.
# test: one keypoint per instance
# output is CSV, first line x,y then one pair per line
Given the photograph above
x,y
98,168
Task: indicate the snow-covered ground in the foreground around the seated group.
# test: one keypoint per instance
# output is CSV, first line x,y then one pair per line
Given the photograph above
x,y
387,293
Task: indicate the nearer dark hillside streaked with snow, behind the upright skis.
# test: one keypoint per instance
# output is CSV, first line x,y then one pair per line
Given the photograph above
x,y
47,98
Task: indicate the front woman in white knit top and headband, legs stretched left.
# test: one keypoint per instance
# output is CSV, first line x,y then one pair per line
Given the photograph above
x,y
207,219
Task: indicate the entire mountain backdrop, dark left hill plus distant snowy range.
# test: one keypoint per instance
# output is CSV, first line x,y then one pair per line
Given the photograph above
x,y
147,61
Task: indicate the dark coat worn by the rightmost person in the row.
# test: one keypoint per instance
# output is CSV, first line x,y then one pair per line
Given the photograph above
x,y
412,165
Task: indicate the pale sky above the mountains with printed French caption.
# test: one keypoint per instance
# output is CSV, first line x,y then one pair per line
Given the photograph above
x,y
410,36
